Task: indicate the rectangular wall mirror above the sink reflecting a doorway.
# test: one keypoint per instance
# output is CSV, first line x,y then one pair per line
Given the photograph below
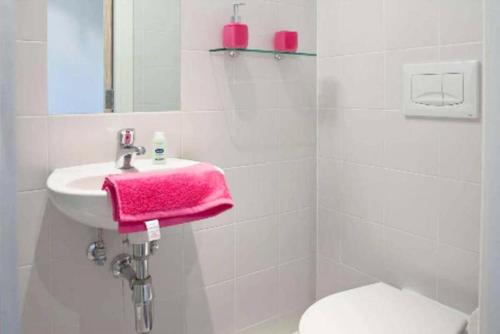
x,y
113,56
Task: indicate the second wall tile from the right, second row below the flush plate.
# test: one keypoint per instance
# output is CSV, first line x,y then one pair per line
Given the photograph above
x,y
412,203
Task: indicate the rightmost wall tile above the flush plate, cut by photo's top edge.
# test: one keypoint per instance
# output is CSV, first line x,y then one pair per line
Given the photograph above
x,y
461,21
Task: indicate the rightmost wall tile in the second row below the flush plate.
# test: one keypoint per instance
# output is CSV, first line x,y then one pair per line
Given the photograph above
x,y
460,216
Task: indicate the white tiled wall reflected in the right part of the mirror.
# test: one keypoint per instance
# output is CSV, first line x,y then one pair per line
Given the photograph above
x,y
156,60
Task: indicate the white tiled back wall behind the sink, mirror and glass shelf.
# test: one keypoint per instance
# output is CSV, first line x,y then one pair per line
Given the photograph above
x,y
249,270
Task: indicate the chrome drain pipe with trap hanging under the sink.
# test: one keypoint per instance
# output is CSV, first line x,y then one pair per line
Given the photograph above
x,y
135,269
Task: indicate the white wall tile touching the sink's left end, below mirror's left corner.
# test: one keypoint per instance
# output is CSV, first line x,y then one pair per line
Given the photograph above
x,y
32,153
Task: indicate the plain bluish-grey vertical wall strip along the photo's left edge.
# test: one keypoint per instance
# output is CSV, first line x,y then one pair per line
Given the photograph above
x,y
8,280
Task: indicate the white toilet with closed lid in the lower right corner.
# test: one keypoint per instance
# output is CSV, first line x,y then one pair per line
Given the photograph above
x,y
382,309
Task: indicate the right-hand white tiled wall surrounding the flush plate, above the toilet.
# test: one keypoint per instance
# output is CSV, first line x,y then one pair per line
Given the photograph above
x,y
399,198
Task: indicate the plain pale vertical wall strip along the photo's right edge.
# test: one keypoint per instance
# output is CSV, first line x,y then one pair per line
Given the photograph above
x,y
490,271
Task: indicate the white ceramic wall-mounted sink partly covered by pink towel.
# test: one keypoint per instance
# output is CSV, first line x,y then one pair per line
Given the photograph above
x,y
76,191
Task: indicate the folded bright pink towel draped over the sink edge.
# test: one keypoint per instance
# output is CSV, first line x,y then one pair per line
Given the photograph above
x,y
173,196
